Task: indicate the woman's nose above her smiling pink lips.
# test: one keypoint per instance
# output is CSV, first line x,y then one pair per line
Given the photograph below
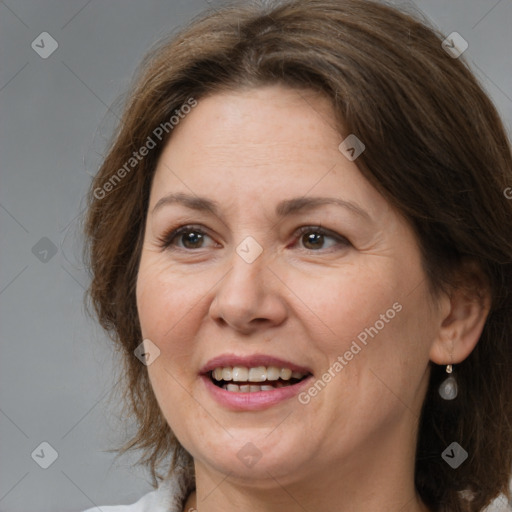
x,y
249,297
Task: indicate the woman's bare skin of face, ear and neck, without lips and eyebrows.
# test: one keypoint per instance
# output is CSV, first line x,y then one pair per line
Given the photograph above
x,y
351,448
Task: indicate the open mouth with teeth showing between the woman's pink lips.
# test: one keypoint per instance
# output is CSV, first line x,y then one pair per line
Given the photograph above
x,y
242,379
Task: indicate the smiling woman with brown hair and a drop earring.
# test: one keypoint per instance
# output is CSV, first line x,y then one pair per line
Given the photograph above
x,y
300,241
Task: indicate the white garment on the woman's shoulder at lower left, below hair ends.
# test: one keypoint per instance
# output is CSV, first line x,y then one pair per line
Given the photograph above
x,y
169,497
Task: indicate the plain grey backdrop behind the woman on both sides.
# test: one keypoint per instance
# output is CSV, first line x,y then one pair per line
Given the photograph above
x,y
56,365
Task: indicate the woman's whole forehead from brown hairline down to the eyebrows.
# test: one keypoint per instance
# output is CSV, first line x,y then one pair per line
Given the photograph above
x,y
261,144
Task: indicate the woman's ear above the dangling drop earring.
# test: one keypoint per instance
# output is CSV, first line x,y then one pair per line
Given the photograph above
x,y
462,316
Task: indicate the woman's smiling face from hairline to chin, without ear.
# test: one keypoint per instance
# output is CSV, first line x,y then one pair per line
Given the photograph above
x,y
289,261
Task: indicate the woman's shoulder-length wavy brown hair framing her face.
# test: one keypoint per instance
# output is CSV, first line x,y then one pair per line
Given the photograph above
x,y
435,148
